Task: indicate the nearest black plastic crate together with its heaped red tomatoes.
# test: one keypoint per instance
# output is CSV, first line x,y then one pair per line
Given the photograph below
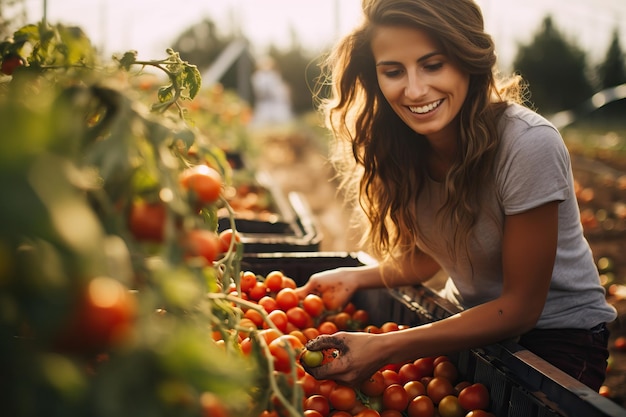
x,y
498,380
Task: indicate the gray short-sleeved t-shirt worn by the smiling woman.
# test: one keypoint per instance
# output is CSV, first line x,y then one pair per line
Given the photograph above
x,y
532,168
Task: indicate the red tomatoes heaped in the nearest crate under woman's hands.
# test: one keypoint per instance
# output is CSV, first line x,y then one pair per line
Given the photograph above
x,y
285,322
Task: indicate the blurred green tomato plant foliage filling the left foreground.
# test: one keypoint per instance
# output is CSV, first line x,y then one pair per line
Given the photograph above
x,y
80,145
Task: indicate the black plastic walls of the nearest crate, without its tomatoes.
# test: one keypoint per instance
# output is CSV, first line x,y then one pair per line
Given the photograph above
x,y
521,384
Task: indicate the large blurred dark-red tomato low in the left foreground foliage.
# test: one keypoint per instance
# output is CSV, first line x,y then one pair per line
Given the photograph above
x,y
103,317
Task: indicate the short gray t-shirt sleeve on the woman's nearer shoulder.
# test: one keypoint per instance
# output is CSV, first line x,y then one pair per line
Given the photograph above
x,y
533,168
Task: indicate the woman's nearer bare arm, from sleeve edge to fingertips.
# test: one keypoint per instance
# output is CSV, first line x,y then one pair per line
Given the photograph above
x,y
529,250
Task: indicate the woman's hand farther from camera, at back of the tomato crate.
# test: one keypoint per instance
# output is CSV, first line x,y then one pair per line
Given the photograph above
x,y
335,286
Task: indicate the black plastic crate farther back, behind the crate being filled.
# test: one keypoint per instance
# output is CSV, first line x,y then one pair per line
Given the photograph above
x,y
293,230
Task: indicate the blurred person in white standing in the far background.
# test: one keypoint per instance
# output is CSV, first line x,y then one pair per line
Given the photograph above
x,y
272,105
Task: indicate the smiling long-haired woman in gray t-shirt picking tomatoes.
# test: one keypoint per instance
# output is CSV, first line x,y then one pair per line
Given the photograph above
x,y
453,173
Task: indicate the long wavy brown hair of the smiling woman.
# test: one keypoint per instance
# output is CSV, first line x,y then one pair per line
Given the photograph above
x,y
380,156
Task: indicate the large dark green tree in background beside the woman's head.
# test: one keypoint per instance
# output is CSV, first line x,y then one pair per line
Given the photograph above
x,y
555,70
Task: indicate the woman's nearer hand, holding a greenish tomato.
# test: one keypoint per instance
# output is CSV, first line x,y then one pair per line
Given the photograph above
x,y
359,357
